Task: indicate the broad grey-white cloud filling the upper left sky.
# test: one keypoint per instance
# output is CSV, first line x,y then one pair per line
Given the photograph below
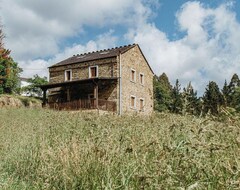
x,y
35,28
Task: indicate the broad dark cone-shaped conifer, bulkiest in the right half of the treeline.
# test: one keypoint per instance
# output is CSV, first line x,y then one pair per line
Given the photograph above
x,y
212,98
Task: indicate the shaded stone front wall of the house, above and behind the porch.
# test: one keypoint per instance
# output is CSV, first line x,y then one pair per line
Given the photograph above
x,y
106,68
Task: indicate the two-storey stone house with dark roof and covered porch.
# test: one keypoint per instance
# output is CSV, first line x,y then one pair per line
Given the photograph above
x,y
118,79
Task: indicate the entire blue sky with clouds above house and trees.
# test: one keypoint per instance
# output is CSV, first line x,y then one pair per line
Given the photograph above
x,y
197,41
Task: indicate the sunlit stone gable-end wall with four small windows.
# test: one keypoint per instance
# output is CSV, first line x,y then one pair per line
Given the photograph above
x,y
133,59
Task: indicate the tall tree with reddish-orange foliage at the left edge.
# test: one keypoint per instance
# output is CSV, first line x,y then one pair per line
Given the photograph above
x,y
9,70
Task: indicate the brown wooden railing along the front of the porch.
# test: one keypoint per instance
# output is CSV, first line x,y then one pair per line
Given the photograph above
x,y
86,104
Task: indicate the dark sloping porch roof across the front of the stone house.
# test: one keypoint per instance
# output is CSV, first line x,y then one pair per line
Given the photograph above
x,y
75,82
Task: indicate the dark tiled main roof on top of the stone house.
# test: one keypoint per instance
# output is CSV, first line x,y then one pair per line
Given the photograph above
x,y
90,56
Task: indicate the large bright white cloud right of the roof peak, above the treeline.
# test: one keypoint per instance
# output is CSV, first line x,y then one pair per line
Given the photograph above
x,y
209,51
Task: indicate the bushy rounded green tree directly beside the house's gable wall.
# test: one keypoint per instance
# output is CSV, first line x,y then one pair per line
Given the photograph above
x,y
162,93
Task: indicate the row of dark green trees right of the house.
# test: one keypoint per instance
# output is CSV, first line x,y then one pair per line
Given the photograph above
x,y
186,101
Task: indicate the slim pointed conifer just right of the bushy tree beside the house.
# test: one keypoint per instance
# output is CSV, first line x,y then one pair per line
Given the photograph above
x,y
176,105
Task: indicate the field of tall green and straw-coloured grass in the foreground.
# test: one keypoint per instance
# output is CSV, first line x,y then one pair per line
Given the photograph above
x,y
43,149
